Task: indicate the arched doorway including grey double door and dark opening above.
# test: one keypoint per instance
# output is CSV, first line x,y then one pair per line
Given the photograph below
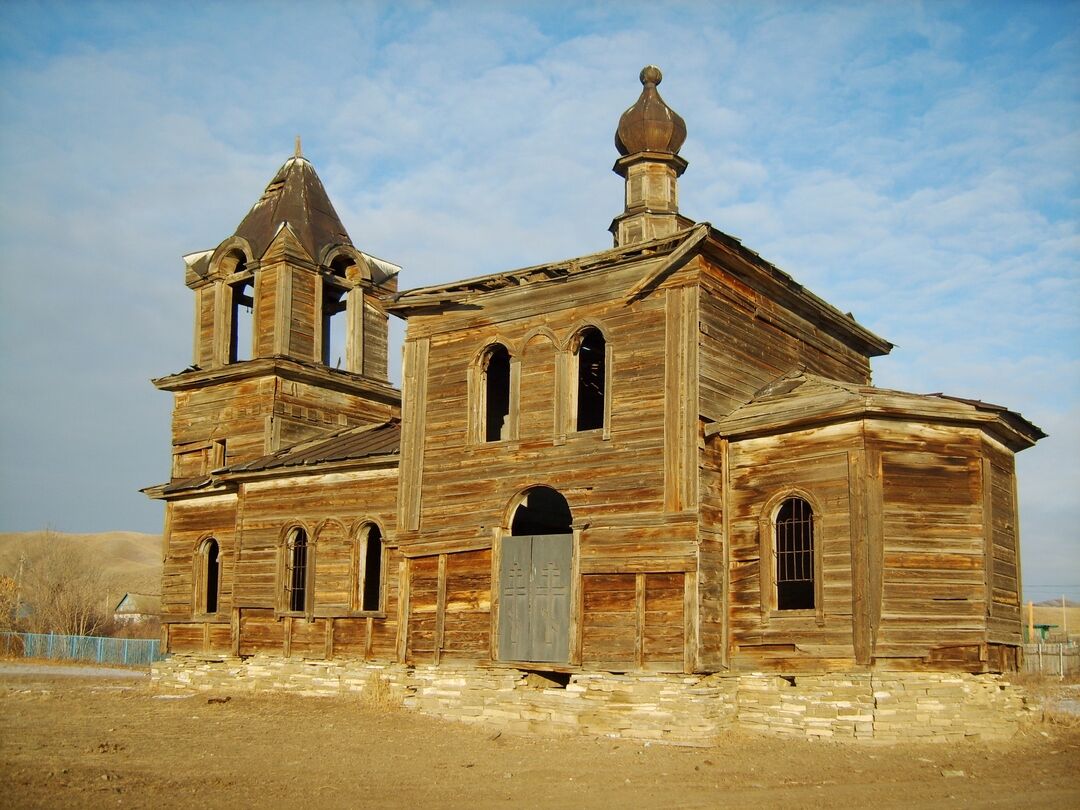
x,y
535,580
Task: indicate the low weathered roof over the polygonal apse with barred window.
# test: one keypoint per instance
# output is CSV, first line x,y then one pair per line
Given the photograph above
x,y
800,400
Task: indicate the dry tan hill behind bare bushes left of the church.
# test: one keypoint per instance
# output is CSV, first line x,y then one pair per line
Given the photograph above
x,y
131,561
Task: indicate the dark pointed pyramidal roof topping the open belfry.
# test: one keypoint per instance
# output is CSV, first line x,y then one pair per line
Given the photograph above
x,y
295,197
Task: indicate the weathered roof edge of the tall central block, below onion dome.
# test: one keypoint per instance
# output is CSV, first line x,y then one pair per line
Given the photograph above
x,y
703,238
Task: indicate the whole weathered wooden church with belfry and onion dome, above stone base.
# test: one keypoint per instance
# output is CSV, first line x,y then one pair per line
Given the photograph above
x,y
667,456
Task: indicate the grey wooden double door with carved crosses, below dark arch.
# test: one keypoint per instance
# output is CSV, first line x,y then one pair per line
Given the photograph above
x,y
535,599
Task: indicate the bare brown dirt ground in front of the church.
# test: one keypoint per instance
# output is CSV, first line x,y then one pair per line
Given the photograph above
x,y
76,739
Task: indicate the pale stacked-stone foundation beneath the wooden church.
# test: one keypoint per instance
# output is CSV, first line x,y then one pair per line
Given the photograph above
x,y
676,709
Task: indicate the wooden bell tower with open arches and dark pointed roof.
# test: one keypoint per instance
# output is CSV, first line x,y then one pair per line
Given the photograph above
x,y
290,332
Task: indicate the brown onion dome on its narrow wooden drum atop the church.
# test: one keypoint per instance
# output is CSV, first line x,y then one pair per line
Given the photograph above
x,y
650,137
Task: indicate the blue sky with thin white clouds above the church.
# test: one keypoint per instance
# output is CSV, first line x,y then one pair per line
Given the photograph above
x,y
914,164
